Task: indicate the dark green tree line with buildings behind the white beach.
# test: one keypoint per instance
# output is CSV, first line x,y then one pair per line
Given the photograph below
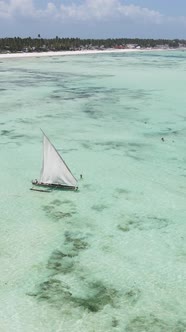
x,y
29,44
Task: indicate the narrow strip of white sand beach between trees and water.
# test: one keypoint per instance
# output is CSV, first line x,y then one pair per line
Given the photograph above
x,y
84,52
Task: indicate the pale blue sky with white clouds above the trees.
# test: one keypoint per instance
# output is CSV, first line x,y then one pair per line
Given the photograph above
x,y
93,18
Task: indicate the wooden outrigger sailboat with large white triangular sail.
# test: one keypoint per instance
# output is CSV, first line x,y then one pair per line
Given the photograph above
x,y
54,172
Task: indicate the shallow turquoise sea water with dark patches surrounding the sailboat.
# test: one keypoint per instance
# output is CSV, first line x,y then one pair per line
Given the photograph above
x,y
112,256
